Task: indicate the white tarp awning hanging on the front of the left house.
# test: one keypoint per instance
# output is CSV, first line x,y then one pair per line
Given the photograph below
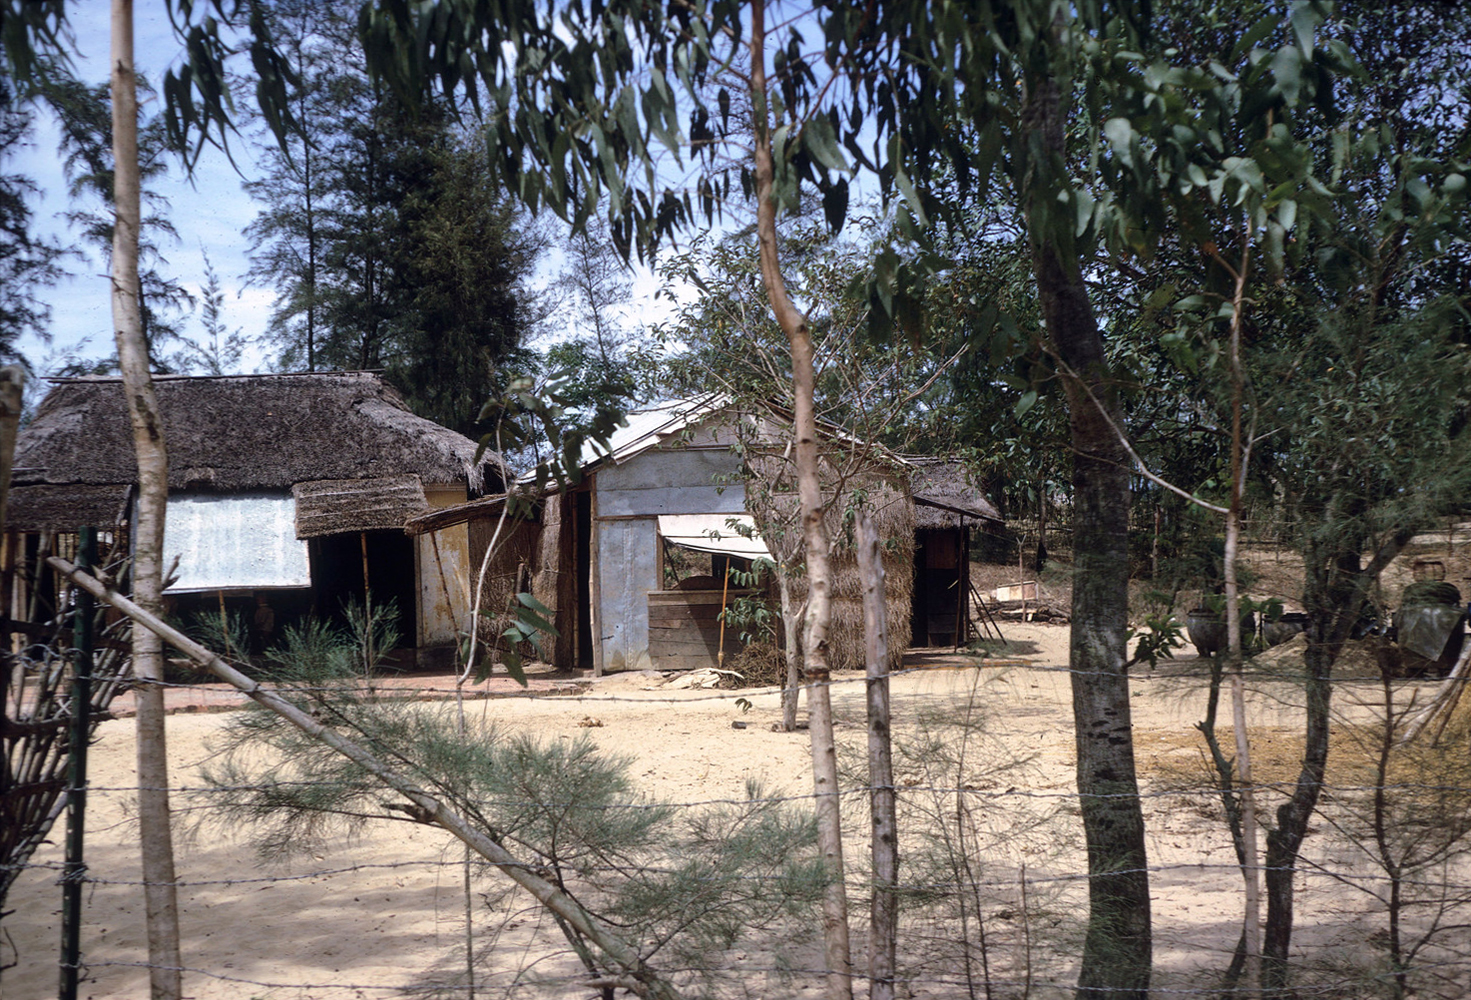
x,y
235,543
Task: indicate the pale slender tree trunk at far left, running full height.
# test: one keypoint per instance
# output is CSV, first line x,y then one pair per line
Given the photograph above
x,y
155,833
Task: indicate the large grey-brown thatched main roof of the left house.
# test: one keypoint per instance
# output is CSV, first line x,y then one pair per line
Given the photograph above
x,y
245,433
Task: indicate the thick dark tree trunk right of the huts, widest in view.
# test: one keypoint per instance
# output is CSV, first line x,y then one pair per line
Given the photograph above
x,y
1117,948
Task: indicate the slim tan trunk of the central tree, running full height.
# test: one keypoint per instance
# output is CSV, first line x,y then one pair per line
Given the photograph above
x,y
814,533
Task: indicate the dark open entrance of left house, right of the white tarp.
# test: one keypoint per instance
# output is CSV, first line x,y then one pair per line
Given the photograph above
x,y
338,577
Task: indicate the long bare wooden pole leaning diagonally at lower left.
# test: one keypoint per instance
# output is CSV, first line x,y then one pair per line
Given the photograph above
x,y
633,973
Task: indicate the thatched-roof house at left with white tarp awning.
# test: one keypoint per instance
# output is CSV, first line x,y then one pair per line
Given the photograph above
x,y
261,465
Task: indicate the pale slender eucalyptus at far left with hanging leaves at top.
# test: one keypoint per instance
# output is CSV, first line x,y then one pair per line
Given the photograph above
x,y
36,40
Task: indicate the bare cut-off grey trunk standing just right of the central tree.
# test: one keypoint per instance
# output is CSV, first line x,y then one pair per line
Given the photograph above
x,y
883,935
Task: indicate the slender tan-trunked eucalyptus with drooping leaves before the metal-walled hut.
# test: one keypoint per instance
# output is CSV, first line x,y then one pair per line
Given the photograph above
x,y
607,108
